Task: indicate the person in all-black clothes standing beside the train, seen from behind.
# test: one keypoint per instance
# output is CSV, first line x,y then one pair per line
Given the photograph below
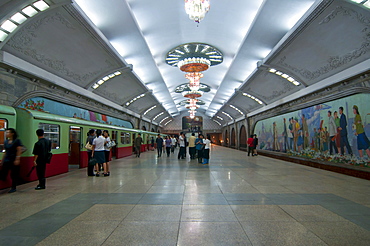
x,y
41,151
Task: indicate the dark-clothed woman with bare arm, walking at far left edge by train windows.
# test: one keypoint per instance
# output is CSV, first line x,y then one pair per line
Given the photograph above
x,y
11,158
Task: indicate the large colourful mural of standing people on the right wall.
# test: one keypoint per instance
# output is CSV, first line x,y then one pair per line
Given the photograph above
x,y
335,131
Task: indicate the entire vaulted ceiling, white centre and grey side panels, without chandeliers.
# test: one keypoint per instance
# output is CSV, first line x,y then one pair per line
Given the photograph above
x,y
267,46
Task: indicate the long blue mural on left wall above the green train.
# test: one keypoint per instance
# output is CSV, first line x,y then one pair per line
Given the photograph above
x,y
53,107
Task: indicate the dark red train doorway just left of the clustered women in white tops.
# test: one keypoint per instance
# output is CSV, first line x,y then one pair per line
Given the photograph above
x,y
74,147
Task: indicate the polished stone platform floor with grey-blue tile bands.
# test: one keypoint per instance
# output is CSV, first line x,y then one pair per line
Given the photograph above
x,y
235,200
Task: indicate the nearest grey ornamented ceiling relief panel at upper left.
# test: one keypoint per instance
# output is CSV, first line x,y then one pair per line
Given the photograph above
x,y
35,43
